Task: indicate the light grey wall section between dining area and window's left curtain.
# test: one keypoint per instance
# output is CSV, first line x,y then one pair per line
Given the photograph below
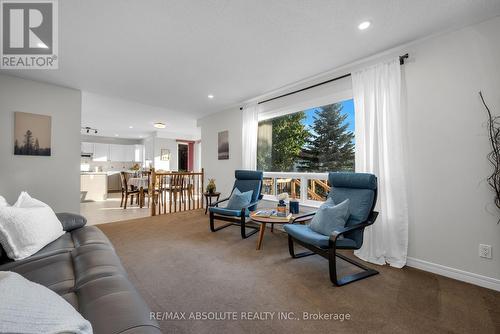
x,y
221,170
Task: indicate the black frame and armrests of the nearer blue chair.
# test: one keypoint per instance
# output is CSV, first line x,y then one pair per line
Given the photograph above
x,y
330,253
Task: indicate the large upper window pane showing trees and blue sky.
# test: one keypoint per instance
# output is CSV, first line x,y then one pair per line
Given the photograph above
x,y
315,140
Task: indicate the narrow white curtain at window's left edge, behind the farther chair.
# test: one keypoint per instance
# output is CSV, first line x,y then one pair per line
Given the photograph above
x,y
249,137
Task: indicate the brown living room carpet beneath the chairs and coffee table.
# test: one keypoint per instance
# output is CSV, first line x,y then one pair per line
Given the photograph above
x,y
178,265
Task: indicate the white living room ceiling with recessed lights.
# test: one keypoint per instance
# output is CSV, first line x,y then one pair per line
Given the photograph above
x,y
172,54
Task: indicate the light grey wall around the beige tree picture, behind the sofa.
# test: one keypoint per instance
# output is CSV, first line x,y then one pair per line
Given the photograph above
x,y
56,179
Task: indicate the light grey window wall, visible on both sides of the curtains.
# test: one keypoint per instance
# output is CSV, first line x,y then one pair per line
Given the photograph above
x,y
451,206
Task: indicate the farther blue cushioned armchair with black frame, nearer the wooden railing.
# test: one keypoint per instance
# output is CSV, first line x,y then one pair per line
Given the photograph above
x,y
246,180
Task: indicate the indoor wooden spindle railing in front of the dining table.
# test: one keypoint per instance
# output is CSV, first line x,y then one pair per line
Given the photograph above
x,y
175,191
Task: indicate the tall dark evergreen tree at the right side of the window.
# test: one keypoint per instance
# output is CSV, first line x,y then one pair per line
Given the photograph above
x,y
331,145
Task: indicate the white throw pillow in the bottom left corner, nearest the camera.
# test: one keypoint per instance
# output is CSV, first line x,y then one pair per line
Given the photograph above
x,y
28,307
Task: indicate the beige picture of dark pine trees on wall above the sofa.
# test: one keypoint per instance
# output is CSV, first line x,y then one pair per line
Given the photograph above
x,y
32,134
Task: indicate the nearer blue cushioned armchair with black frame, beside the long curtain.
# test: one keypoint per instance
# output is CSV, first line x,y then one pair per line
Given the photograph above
x,y
361,190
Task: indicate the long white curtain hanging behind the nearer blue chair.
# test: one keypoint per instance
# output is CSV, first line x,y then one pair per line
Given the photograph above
x,y
380,143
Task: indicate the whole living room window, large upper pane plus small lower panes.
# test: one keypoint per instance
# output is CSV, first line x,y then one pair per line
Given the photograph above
x,y
296,150
